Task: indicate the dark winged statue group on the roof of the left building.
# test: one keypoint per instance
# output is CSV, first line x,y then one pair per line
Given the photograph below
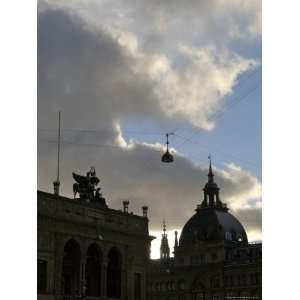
x,y
86,187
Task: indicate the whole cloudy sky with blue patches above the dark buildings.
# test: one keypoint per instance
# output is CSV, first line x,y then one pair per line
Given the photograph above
x,y
123,73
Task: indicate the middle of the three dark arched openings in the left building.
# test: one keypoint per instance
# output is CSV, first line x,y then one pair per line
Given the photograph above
x,y
93,271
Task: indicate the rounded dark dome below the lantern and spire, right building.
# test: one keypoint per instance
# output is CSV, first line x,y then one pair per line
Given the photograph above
x,y
212,225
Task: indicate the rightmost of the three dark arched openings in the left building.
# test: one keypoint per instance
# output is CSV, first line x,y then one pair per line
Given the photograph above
x,y
114,274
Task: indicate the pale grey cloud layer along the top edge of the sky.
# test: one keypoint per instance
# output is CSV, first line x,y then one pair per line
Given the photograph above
x,y
156,22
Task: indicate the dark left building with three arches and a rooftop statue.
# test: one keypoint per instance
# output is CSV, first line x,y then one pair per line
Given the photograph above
x,y
88,250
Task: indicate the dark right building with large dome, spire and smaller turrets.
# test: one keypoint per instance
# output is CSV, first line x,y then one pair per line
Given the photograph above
x,y
212,260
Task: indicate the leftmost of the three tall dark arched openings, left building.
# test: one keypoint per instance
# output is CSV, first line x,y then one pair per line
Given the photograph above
x,y
71,269
